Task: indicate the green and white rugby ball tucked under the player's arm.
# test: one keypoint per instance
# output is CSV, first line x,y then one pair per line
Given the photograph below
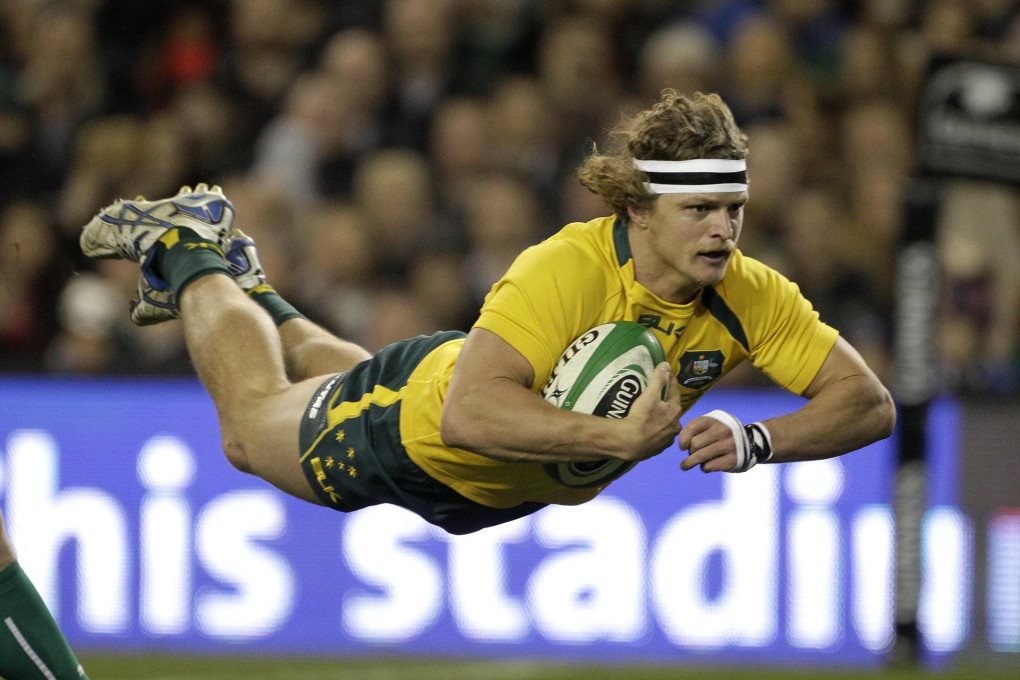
x,y
601,374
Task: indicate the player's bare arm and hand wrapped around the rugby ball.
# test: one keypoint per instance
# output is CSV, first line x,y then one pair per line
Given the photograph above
x,y
491,410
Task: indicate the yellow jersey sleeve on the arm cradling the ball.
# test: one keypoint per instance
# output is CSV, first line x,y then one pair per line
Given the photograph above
x,y
543,302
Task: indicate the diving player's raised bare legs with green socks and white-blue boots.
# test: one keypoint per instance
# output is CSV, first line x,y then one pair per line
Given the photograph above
x,y
233,342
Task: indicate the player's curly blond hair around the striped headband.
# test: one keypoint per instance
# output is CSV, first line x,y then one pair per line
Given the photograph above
x,y
677,128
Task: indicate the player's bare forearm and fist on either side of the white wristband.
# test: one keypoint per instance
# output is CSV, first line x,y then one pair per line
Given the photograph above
x,y
848,408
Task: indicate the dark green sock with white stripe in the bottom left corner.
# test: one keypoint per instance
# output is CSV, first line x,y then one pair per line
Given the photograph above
x,y
31,643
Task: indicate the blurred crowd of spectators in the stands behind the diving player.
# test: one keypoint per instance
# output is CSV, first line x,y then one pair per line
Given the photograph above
x,y
391,158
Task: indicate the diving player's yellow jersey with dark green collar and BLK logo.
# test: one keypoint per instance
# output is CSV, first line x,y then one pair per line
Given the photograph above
x,y
584,277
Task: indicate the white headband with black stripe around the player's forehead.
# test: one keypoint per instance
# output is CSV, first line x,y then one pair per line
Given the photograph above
x,y
701,176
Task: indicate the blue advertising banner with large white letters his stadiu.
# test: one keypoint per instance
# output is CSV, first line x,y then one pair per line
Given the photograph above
x,y
141,537
